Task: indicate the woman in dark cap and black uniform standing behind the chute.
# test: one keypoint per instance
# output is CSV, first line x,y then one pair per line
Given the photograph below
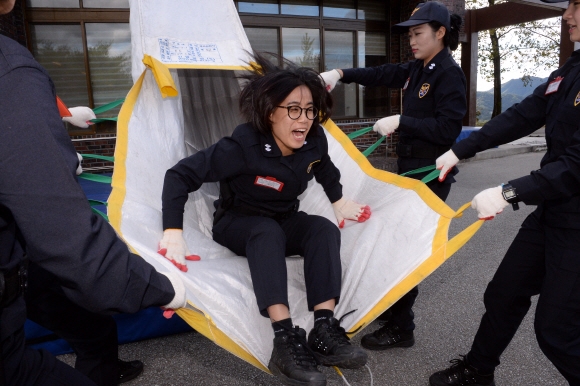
x,y
434,104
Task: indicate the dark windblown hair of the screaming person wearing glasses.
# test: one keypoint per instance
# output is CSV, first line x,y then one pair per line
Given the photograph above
x,y
269,84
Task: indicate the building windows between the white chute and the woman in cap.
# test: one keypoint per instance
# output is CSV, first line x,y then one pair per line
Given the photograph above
x,y
350,33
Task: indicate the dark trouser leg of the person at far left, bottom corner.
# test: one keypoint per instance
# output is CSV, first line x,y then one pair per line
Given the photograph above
x,y
92,337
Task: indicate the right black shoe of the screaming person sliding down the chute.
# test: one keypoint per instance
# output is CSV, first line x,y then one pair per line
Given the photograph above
x,y
332,346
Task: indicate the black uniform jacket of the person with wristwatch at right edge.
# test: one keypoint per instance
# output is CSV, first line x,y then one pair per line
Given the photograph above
x,y
557,184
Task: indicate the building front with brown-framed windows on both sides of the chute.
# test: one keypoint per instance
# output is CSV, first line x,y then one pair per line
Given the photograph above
x,y
85,45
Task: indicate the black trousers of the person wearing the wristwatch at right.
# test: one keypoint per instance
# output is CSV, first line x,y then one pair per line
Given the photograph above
x,y
541,260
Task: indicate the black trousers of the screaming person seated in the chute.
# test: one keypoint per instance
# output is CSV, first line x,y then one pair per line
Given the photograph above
x,y
266,243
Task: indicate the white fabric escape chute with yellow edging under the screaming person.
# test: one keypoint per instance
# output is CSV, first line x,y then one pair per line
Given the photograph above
x,y
179,105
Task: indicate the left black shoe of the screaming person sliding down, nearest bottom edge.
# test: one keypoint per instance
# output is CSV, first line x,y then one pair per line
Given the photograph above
x,y
293,362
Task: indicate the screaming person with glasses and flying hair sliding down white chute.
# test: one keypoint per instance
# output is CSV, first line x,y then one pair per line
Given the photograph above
x,y
262,169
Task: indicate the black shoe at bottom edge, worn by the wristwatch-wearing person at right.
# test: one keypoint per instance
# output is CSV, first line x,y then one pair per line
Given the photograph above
x,y
460,373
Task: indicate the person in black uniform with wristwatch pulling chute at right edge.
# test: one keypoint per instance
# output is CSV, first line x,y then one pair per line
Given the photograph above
x,y
544,258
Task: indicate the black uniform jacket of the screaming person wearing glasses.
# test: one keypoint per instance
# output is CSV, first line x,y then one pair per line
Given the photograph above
x,y
258,173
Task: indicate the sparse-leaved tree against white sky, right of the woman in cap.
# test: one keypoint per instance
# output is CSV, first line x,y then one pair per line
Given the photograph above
x,y
516,47
